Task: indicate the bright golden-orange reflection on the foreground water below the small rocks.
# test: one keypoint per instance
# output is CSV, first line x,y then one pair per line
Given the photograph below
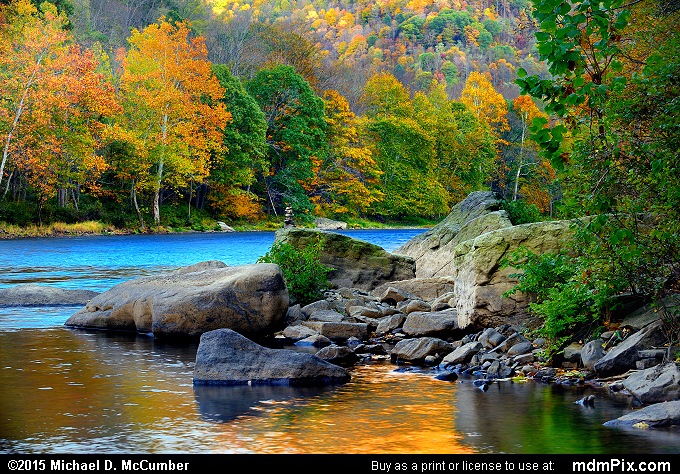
x,y
371,414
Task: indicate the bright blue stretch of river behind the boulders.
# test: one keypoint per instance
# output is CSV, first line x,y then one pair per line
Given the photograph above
x,y
99,262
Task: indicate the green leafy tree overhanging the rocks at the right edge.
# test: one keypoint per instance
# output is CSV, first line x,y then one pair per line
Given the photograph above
x,y
614,70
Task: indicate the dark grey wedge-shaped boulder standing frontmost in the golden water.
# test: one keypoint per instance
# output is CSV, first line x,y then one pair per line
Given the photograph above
x,y
225,357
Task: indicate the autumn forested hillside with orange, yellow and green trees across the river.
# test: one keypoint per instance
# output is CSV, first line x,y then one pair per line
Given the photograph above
x,y
154,112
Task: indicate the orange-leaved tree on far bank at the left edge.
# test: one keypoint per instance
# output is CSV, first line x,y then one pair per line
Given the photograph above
x,y
57,99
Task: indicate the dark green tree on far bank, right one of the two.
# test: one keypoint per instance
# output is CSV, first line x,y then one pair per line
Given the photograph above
x,y
296,135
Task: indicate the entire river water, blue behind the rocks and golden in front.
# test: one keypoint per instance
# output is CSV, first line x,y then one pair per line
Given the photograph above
x,y
75,391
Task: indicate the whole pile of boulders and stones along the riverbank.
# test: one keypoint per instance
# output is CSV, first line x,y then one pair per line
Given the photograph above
x,y
437,302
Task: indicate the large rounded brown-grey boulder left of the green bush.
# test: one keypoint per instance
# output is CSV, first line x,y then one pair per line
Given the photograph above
x,y
250,299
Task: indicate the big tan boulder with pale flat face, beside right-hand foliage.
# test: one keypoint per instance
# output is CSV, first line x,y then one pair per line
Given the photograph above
x,y
480,282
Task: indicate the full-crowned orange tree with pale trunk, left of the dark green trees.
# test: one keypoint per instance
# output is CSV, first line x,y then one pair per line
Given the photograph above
x,y
172,102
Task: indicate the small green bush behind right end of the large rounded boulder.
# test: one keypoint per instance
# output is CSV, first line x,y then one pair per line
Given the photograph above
x,y
306,277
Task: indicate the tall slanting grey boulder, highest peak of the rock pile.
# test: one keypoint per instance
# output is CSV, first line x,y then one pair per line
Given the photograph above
x,y
434,250
